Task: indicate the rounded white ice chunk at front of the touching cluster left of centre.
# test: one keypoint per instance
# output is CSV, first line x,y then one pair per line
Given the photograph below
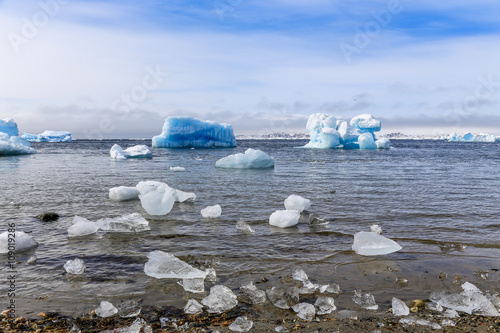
x,y
158,201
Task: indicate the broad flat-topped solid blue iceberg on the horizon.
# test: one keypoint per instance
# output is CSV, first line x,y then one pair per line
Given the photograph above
x,y
187,132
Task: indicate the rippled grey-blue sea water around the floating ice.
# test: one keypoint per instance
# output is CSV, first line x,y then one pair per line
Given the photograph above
x,y
439,200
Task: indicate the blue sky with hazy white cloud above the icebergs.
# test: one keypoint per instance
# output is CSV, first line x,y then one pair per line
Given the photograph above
x,y
117,69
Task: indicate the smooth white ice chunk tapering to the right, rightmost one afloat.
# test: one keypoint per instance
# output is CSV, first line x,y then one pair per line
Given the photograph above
x,y
372,244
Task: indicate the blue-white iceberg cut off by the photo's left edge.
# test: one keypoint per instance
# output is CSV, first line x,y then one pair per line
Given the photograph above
x,y
10,143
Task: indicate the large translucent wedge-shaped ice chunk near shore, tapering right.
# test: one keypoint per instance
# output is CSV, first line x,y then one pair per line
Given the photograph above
x,y
163,265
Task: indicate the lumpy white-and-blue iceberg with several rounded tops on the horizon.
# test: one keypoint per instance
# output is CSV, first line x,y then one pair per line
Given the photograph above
x,y
328,132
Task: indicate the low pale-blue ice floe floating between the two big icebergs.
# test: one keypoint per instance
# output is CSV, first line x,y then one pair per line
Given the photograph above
x,y
251,159
